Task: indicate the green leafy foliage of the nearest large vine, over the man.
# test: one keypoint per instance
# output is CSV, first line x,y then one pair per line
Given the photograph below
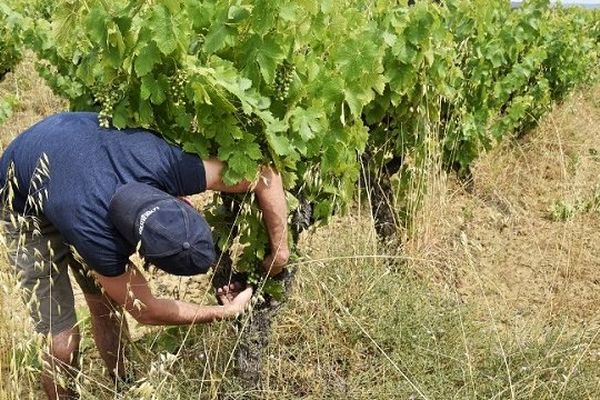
x,y
250,83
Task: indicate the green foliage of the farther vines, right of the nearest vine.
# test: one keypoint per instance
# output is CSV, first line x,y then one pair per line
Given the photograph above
x,y
466,75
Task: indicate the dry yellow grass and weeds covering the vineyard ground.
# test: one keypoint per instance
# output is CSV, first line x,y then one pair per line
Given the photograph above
x,y
491,298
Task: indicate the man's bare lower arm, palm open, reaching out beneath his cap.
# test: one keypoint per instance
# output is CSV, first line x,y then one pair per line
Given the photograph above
x,y
131,291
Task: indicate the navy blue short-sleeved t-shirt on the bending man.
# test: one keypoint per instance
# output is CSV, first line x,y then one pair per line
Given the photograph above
x,y
86,164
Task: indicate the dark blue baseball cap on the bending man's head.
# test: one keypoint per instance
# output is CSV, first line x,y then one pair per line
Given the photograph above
x,y
172,235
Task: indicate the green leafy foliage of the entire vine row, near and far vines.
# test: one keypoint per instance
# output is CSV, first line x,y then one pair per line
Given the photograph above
x,y
305,86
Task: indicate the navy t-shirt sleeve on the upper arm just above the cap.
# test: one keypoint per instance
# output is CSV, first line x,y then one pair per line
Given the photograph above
x,y
188,174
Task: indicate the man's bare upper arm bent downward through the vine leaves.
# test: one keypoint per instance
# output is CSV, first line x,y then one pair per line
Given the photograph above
x,y
271,199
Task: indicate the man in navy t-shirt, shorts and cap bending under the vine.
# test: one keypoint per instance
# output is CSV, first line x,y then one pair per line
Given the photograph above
x,y
96,196
